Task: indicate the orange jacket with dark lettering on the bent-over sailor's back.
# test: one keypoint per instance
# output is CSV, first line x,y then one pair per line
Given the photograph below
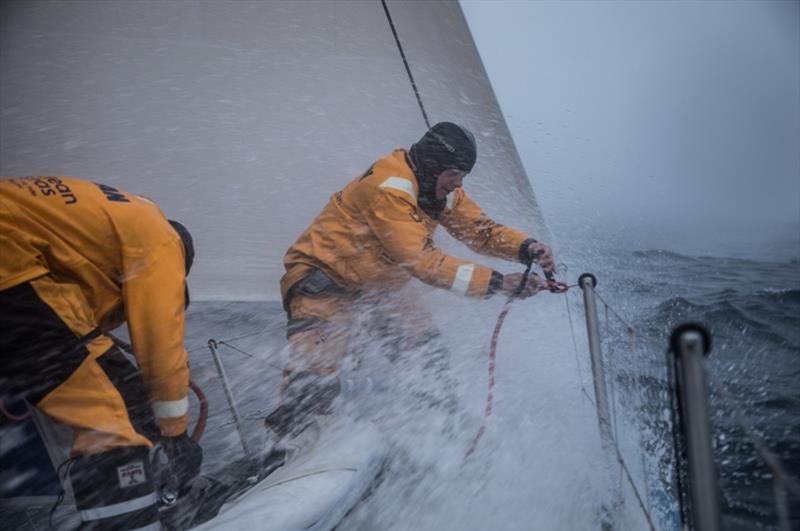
x,y
122,253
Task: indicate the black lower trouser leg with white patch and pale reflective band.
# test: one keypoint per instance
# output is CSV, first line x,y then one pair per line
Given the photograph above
x,y
115,489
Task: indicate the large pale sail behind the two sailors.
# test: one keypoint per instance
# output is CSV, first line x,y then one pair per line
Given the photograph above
x,y
241,118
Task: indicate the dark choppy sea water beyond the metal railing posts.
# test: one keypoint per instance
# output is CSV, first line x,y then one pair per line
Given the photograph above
x,y
748,296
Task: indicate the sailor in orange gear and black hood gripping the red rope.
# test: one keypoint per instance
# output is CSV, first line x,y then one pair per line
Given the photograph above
x,y
376,234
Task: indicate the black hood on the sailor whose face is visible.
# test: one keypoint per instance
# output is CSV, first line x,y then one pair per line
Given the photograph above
x,y
445,146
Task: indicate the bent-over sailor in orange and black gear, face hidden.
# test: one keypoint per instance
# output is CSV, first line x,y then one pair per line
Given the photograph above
x,y
77,259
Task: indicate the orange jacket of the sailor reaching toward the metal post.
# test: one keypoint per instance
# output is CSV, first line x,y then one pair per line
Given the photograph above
x,y
374,234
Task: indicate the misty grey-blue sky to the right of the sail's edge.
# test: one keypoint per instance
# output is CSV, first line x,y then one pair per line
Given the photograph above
x,y
663,119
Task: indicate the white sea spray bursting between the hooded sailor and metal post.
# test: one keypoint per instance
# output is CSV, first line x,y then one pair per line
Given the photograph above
x,y
540,463
